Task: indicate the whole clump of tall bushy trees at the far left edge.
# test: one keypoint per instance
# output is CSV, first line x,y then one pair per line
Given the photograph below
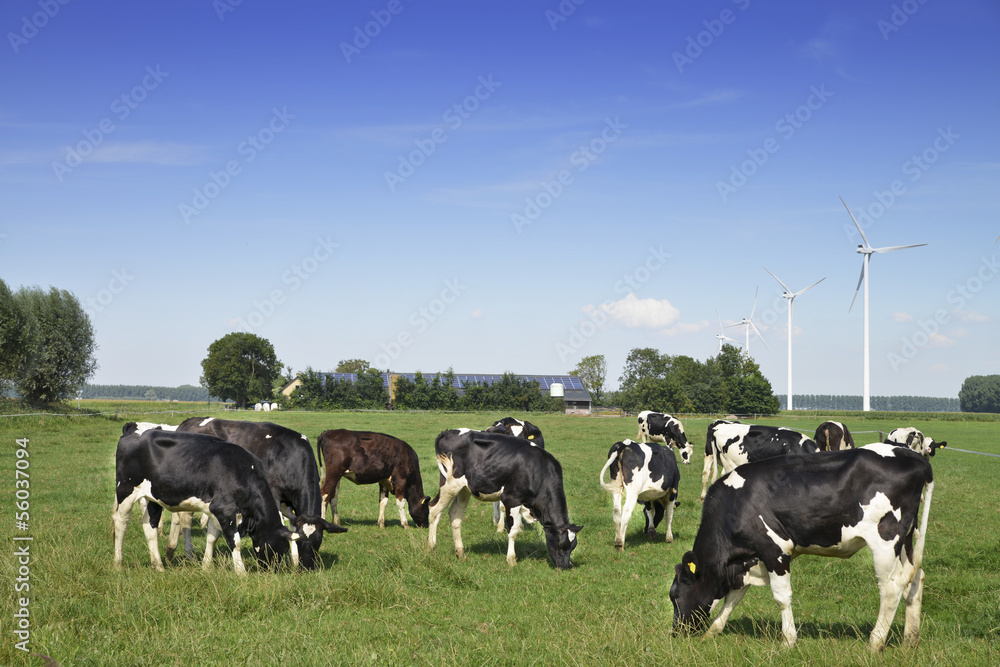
x,y
46,343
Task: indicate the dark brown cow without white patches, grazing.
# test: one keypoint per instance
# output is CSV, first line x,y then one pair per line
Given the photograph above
x,y
373,458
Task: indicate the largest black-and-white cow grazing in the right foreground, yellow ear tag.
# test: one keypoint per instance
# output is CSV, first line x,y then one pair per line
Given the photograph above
x,y
759,517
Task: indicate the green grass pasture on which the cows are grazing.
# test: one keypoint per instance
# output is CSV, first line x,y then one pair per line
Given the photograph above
x,y
383,597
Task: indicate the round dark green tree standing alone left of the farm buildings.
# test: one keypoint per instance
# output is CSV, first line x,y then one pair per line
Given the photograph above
x,y
240,367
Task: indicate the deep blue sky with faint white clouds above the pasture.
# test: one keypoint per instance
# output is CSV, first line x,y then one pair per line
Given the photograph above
x,y
509,186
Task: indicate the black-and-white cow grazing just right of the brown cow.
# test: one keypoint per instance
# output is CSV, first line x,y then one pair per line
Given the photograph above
x,y
494,466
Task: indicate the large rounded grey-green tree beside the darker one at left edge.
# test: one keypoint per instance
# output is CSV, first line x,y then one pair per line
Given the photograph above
x,y
61,353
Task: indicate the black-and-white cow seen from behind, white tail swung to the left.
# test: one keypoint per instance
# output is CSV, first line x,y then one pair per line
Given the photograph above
x,y
645,472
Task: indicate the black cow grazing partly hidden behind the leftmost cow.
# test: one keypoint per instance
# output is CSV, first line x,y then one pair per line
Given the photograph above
x,y
290,470
